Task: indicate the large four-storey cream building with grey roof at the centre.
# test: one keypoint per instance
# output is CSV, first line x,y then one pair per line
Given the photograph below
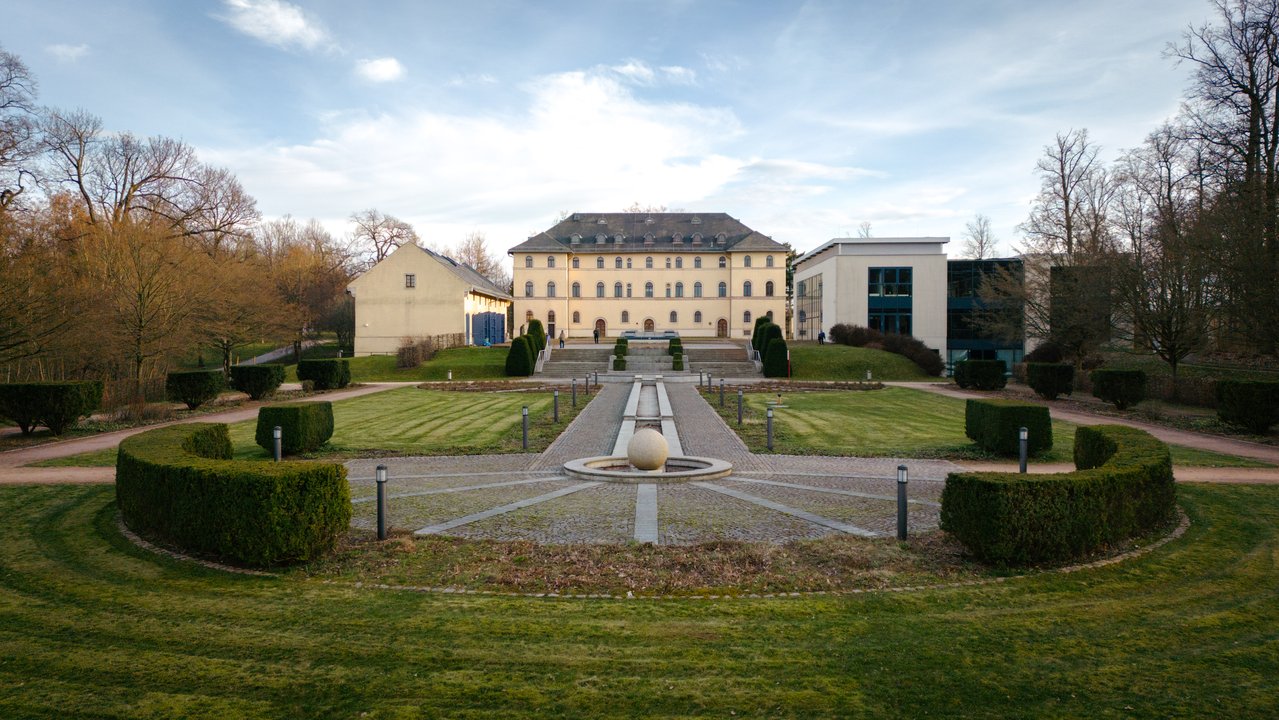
x,y
702,276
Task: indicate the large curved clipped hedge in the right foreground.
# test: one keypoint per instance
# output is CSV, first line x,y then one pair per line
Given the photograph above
x,y
1122,489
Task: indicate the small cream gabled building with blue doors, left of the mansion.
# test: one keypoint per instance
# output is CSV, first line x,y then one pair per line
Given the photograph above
x,y
418,293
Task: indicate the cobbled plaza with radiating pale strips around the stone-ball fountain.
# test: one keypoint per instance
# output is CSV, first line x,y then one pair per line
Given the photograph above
x,y
767,499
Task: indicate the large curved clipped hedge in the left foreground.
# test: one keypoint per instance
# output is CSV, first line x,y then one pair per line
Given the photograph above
x,y
180,485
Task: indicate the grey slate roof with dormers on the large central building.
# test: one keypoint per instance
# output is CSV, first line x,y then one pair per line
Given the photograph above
x,y
644,232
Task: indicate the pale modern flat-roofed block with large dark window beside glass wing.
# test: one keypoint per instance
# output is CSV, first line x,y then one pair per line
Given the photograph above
x,y
888,285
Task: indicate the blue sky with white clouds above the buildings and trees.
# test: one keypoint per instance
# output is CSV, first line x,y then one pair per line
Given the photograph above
x,y
801,120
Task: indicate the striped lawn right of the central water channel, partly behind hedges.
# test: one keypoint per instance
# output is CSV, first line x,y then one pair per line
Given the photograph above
x,y
895,423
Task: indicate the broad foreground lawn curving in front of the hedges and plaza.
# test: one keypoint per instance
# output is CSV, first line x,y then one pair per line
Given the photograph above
x,y
91,626
